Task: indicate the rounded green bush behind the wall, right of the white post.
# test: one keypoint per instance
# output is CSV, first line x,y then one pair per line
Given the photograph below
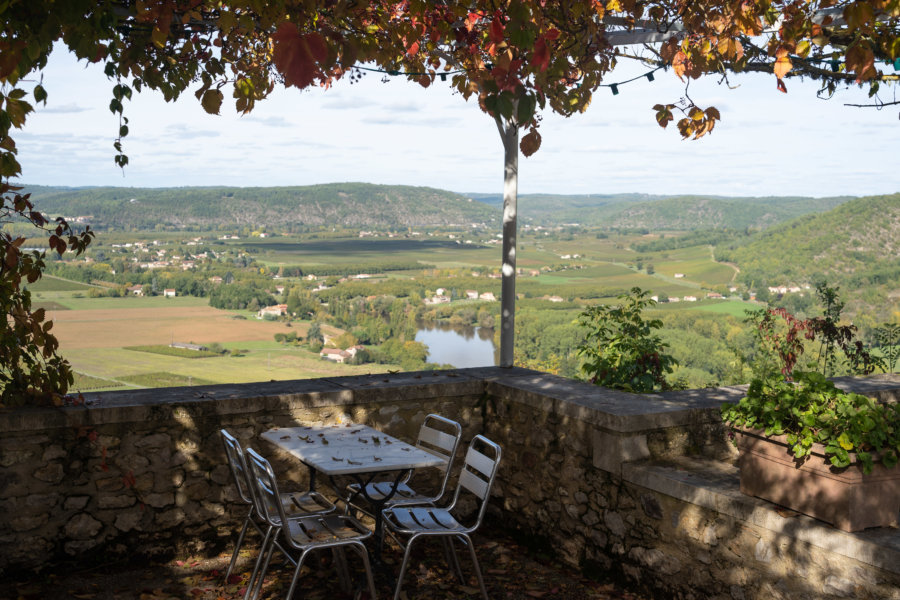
x,y
621,350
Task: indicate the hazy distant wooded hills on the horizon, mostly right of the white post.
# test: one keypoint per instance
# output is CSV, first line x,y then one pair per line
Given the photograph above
x,y
655,213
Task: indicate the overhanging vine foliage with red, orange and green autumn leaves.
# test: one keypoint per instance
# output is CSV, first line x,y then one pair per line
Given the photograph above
x,y
516,57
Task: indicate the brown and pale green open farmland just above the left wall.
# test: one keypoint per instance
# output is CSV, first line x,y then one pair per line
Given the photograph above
x,y
94,341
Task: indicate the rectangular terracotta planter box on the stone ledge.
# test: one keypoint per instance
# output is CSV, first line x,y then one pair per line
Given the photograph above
x,y
846,498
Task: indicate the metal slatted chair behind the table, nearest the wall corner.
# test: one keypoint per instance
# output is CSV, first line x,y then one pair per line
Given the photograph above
x,y
438,435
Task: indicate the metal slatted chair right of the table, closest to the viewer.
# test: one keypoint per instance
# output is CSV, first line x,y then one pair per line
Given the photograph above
x,y
476,478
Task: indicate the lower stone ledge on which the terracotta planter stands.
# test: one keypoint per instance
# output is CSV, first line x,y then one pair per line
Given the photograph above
x,y
715,486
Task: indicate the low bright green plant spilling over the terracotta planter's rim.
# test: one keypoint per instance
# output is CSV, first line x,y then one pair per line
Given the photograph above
x,y
811,410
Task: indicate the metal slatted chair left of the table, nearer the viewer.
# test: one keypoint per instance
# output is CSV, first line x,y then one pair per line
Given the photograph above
x,y
304,534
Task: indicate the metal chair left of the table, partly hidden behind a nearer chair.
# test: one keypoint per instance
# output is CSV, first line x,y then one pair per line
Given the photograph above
x,y
295,504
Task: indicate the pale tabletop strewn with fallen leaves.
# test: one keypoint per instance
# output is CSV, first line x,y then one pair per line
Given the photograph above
x,y
349,449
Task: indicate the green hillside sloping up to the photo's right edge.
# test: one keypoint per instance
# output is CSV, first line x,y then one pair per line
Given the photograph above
x,y
856,245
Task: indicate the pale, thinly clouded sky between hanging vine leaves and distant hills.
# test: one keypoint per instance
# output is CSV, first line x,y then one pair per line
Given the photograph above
x,y
396,132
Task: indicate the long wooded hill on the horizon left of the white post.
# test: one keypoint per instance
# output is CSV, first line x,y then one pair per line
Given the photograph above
x,y
341,204
